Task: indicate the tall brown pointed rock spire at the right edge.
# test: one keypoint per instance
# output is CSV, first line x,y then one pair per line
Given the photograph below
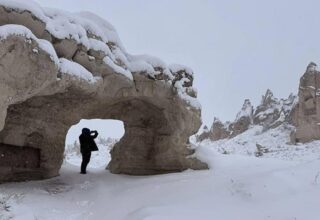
x,y
306,116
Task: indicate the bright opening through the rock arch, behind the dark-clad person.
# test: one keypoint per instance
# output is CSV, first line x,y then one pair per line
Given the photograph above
x,y
110,132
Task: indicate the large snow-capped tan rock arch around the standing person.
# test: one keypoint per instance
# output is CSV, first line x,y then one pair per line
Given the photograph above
x,y
57,68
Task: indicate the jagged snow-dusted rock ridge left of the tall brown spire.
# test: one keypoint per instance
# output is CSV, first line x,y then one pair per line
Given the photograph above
x,y
271,113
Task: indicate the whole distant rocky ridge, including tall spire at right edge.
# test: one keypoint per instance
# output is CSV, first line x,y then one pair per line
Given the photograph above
x,y
302,111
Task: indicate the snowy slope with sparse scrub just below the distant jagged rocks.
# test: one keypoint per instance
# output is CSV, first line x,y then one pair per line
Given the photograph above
x,y
274,141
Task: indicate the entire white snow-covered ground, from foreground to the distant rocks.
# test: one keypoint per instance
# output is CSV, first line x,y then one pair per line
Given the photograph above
x,y
280,185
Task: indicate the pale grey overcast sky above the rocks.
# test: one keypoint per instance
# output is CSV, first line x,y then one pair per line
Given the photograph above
x,y
237,49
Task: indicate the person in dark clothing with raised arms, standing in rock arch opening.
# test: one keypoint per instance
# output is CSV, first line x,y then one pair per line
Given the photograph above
x,y
87,144
